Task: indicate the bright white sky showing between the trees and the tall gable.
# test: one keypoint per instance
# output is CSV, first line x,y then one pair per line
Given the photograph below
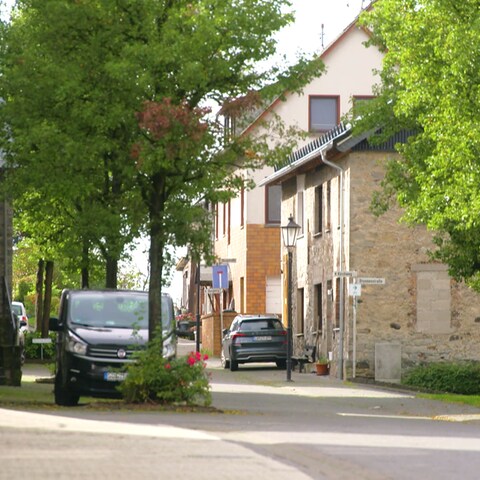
x,y
303,36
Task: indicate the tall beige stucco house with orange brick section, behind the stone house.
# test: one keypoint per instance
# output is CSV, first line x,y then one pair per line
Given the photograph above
x,y
247,227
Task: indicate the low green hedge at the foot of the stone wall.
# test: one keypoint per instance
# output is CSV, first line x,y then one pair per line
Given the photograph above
x,y
459,378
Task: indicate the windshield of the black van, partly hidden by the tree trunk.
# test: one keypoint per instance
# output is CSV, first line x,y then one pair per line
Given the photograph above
x,y
114,310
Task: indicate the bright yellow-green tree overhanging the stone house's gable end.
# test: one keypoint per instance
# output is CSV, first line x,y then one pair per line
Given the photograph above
x,y
430,84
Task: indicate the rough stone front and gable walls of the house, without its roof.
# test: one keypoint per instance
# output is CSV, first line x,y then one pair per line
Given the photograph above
x,y
430,316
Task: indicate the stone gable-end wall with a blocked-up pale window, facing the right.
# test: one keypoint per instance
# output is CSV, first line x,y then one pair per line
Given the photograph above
x,y
432,317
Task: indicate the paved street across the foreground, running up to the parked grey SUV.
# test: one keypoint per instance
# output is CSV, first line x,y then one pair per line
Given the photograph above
x,y
313,427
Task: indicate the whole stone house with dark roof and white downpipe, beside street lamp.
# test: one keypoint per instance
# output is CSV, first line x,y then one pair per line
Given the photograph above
x,y
404,309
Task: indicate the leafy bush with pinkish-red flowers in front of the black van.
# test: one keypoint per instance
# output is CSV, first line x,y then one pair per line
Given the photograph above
x,y
155,379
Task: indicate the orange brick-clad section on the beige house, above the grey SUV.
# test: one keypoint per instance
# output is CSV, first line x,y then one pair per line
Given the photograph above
x,y
263,260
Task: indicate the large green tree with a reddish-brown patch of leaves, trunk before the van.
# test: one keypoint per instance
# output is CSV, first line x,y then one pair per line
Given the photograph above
x,y
115,92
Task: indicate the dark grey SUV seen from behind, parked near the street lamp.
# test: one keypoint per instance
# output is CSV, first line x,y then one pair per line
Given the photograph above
x,y
254,338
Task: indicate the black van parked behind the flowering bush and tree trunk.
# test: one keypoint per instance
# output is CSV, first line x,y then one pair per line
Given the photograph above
x,y
97,333
